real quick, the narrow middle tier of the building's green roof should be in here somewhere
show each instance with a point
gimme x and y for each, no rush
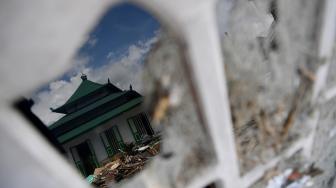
(88, 108)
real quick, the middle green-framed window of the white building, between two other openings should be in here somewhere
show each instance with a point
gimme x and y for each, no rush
(112, 140)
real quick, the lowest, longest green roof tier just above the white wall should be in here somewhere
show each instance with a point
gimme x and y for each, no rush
(99, 120)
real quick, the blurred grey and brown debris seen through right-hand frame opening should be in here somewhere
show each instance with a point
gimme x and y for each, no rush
(269, 48)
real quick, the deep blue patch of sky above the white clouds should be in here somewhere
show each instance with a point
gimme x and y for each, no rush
(121, 27)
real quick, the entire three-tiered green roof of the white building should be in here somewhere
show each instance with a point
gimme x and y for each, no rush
(90, 106)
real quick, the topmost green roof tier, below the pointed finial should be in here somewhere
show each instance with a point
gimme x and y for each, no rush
(84, 88)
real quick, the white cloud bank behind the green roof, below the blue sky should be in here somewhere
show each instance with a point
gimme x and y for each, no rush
(122, 72)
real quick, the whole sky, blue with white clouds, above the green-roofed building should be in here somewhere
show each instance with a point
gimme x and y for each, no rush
(115, 49)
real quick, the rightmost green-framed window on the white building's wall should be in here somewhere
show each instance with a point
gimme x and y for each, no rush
(140, 126)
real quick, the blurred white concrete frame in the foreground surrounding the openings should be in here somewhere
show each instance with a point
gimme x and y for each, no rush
(39, 37)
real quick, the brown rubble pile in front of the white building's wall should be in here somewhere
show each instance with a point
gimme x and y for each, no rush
(127, 163)
